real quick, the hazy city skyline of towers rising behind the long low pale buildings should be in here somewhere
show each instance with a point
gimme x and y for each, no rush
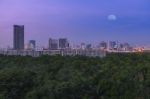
(19, 43)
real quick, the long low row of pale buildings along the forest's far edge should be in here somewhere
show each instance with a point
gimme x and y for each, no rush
(65, 52)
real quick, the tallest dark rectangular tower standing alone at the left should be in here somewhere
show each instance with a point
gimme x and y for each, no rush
(18, 37)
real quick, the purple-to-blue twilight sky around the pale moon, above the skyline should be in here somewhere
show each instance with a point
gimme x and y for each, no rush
(78, 20)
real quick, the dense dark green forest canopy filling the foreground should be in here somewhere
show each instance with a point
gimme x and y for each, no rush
(116, 76)
